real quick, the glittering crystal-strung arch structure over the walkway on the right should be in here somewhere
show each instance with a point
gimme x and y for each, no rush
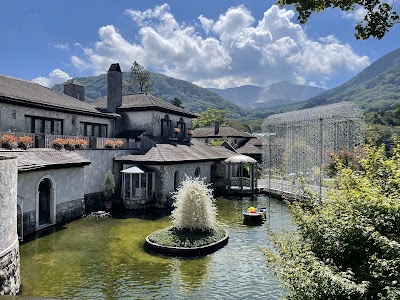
(297, 144)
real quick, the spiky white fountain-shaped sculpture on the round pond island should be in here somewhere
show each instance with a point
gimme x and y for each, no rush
(195, 207)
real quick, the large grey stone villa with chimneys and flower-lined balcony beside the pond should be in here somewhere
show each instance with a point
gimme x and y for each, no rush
(143, 140)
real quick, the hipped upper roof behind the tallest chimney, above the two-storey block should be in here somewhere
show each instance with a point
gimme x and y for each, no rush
(138, 102)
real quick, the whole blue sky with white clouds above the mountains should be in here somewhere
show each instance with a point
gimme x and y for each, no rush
(211, 43)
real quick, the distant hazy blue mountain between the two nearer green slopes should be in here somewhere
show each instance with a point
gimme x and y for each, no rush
(276, 95)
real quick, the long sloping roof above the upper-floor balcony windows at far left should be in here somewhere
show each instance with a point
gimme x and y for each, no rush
(26, 92)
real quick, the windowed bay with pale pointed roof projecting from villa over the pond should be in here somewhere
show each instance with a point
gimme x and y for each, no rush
(137, 187)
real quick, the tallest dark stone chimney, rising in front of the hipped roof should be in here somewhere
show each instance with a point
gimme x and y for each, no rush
(114, 88)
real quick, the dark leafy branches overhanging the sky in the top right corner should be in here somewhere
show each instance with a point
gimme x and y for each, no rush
(380, 15)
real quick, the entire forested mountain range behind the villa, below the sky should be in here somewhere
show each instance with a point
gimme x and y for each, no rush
(376, 88)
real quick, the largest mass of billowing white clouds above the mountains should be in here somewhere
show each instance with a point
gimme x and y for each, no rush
(234, 49)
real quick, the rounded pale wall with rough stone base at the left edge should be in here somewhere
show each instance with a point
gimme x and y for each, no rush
(9, 245)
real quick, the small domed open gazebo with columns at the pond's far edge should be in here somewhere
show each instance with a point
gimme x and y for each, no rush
(241, 174)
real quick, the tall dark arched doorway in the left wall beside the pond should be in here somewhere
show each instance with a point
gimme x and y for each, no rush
(45, 202)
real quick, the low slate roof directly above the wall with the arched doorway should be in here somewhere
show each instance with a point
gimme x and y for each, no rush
(33, 159)
